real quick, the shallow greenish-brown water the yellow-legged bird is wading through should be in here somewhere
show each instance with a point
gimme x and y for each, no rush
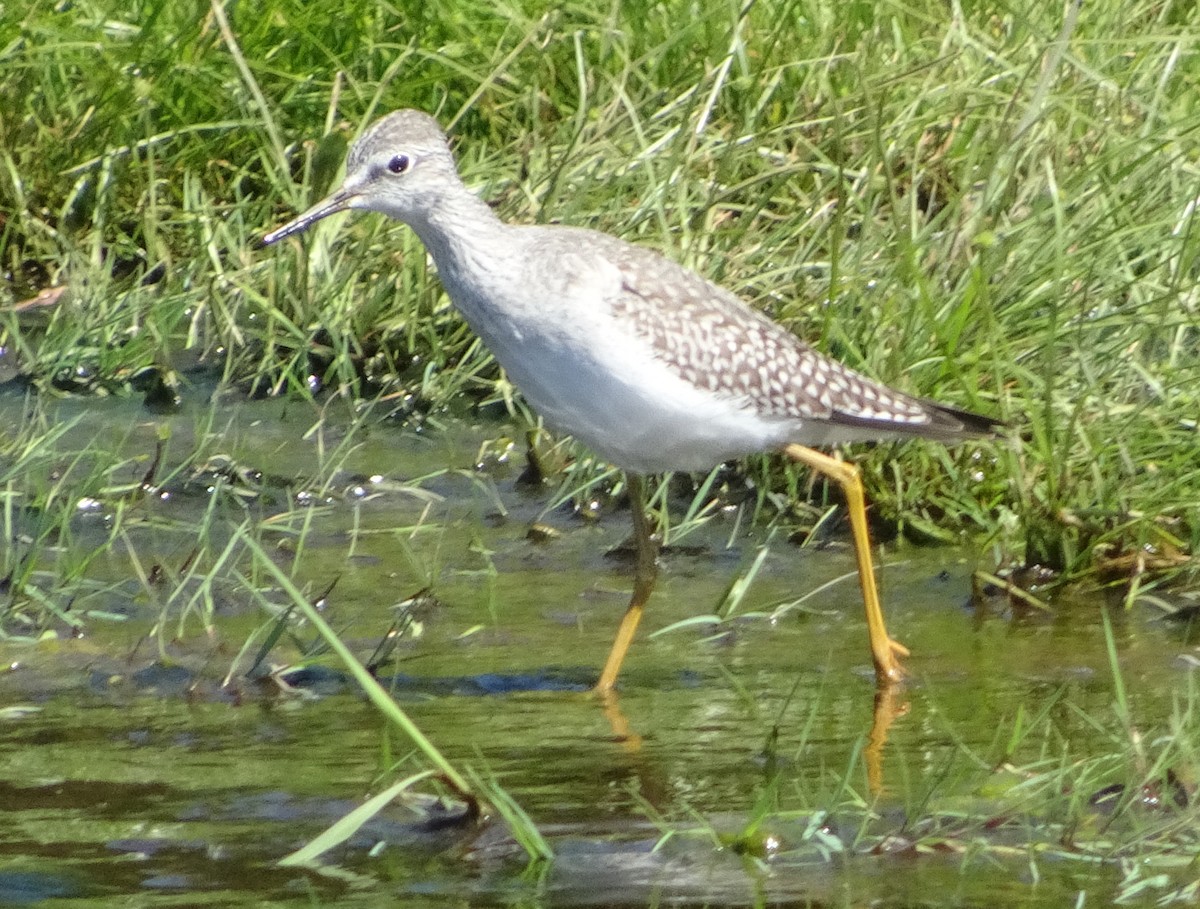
(129, 772)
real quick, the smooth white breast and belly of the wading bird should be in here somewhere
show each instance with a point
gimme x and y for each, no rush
(590, 375)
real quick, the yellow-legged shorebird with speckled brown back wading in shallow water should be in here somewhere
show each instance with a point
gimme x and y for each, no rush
(644, 362)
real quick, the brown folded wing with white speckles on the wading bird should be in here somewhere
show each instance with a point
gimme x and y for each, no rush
(715, 341)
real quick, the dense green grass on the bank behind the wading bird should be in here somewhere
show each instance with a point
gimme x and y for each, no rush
(980, 203)
